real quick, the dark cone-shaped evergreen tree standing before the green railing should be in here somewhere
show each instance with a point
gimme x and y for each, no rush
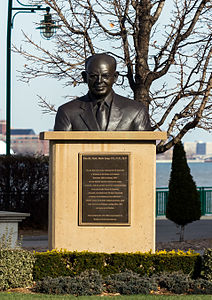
(183, 205)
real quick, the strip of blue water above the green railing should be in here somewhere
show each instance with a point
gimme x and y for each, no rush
(201, 172)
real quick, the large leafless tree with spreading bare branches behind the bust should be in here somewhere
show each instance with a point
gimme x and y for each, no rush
(166, 66)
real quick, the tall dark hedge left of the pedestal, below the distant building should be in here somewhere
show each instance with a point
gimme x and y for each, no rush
(28, 187)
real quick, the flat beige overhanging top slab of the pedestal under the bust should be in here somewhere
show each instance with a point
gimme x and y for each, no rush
(103, 135)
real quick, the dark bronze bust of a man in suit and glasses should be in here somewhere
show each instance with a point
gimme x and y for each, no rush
(102, 109)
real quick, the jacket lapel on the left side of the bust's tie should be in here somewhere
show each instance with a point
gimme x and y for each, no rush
(87, 114)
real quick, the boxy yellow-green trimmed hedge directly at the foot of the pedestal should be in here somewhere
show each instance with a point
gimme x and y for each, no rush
(63, 263)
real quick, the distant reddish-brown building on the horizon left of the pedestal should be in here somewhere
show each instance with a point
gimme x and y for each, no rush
(24, 141)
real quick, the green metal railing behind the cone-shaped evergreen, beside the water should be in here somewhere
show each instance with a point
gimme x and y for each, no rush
(205, 198)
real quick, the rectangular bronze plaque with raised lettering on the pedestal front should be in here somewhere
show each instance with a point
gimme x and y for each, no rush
(104, 189)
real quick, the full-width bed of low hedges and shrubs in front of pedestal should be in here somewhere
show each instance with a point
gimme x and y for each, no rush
(125, 273)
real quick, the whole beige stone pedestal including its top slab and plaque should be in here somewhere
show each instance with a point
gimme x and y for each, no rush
(133, 233)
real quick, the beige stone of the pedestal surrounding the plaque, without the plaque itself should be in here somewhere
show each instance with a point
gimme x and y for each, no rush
(64, 229)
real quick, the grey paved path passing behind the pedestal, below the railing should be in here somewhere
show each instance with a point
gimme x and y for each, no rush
(166, 231)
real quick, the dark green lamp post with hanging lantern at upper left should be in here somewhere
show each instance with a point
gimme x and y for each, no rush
(48, 29)
